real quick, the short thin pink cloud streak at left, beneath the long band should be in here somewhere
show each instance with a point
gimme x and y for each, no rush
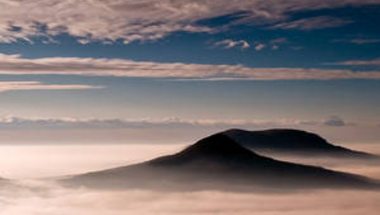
(34, 85)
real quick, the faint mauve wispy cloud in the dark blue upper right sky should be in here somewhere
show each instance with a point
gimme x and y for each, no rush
(319, 22)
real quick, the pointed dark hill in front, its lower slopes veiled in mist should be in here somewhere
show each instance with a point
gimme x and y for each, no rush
(219, 162)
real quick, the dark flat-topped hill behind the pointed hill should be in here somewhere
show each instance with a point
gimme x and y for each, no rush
(293, 142)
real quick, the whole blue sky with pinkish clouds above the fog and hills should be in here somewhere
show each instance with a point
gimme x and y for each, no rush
(131, 71)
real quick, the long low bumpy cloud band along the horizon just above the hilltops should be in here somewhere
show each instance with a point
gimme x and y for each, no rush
(116, 123)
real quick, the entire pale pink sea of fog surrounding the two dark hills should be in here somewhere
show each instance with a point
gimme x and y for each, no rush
(29, 196)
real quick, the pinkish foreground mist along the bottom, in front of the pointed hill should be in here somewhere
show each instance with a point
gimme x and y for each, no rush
(50, 199)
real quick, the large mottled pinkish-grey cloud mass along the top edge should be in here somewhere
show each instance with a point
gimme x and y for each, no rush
(128, 21)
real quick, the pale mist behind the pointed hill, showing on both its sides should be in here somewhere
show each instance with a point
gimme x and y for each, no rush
(40, 161)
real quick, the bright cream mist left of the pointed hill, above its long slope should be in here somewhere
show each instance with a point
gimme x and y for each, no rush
(40, 161)
